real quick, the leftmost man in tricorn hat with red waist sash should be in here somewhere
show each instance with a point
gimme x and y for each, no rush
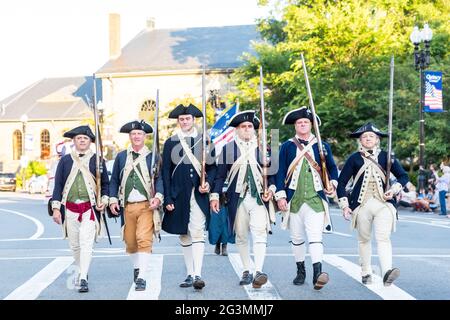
(74, 201)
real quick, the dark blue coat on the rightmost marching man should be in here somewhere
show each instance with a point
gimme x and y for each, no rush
(351, 168)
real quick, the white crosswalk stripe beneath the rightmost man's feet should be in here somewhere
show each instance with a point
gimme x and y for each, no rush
(386, 293)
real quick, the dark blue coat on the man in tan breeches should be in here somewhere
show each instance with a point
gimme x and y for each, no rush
(117, 173)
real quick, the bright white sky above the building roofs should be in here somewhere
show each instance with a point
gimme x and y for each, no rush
(64, 38)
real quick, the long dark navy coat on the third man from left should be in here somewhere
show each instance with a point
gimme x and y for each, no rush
(179, 181)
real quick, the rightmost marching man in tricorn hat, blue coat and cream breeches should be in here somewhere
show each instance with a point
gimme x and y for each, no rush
(369, 205)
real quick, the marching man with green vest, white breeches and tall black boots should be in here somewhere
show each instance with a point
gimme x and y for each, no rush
(301, 195)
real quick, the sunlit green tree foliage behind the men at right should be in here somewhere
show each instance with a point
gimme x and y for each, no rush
(347, 46)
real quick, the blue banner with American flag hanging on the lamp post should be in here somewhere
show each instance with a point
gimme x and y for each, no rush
(433, 92)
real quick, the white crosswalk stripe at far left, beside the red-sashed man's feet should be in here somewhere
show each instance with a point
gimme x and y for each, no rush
(31, 289)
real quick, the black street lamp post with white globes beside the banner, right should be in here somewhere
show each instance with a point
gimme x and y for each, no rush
(421, 62)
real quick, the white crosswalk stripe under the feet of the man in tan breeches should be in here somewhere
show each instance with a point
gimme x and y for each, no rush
(153, 281)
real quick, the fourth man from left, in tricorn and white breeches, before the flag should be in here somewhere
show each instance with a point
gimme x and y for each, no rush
(239, 167)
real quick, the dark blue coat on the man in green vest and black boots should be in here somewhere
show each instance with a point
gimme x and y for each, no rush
(288, 153)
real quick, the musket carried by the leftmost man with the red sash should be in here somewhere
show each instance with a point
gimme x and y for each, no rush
(98, 158)
